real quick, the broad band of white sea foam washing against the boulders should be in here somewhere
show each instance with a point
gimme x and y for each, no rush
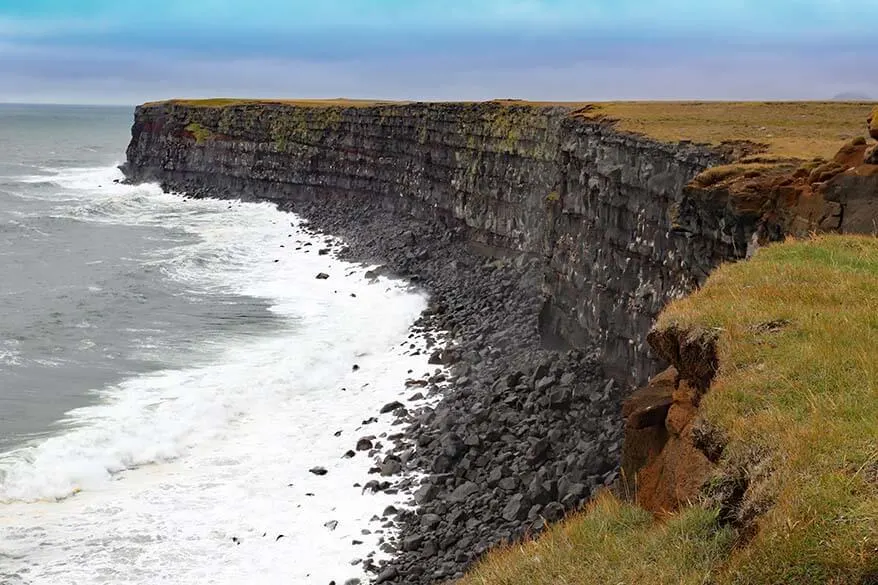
(167, 468)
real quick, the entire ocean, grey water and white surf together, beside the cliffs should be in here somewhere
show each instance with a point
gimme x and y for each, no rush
(170, 370)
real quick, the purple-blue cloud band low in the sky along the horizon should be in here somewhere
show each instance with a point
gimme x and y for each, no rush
(649, 72)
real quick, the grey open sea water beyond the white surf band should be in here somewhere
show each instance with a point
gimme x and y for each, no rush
(85, 297)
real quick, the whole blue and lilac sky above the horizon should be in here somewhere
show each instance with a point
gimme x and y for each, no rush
(123, 52)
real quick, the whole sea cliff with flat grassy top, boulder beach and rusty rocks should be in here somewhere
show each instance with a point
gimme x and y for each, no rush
(539, 228)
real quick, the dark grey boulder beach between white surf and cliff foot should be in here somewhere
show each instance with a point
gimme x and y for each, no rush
(521, 435)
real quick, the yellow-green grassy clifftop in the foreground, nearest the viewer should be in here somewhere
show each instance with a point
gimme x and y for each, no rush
(796, 400)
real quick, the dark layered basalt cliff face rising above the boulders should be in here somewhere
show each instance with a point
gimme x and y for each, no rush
(609, 212)
